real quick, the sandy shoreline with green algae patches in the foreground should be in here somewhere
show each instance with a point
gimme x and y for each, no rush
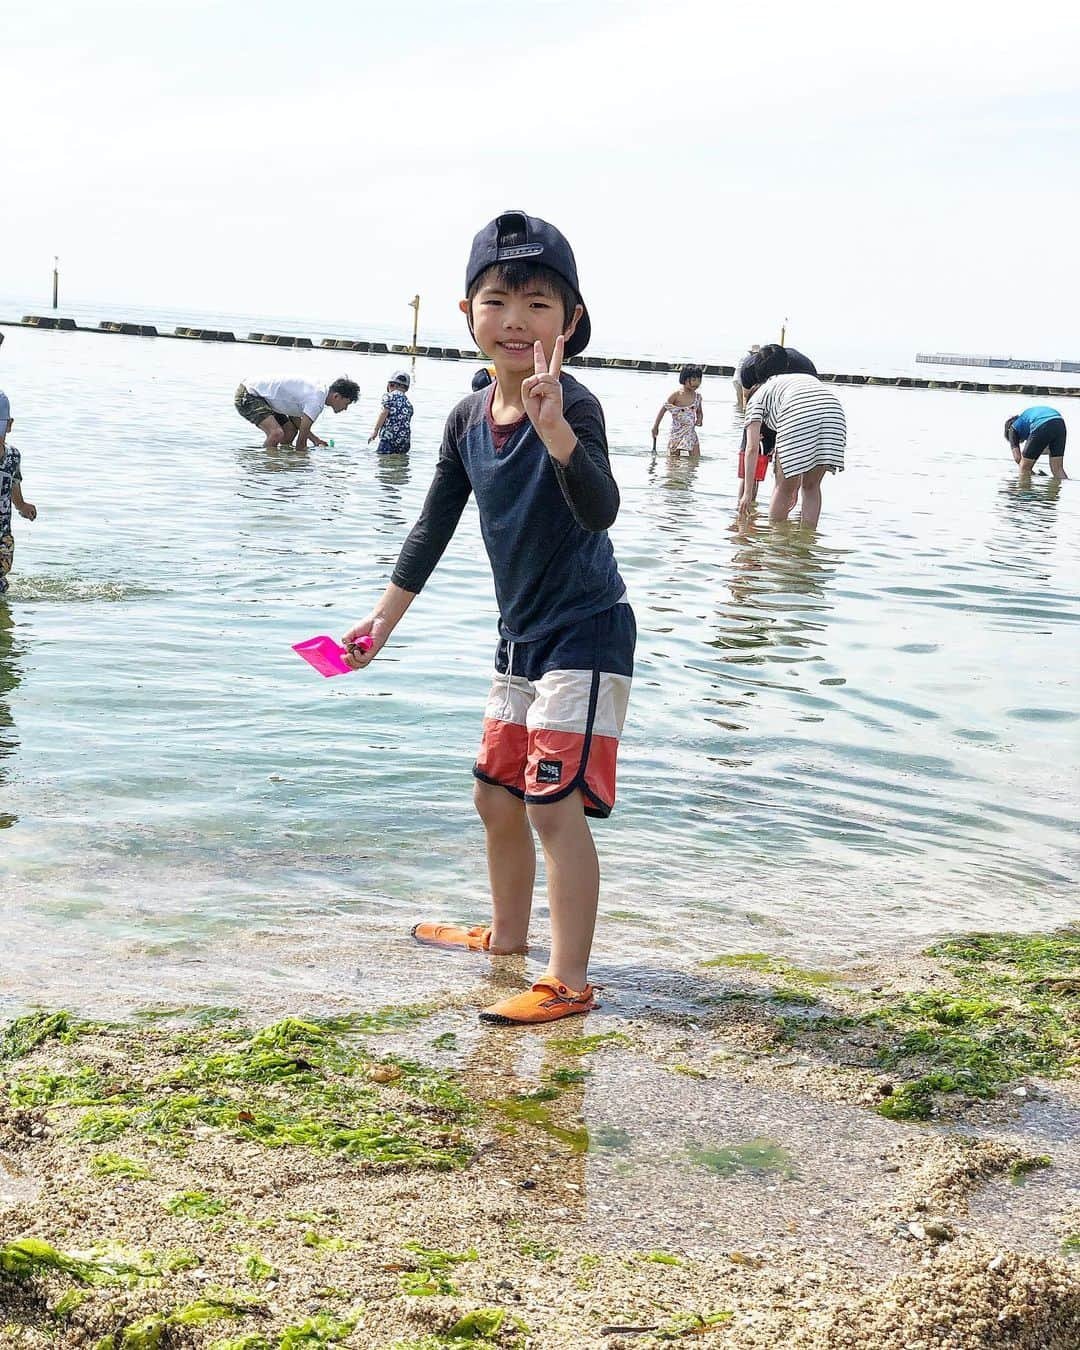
(805, 1162)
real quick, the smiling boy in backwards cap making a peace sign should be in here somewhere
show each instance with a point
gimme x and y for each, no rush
(534, 450)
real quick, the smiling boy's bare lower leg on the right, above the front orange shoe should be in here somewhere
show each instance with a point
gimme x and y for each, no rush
(573, 886)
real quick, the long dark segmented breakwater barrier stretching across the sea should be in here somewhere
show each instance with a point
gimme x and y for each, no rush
(381, 349)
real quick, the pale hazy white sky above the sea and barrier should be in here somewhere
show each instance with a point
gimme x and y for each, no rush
(889, 178)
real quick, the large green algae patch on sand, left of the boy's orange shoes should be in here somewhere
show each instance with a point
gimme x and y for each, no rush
(298, 1083)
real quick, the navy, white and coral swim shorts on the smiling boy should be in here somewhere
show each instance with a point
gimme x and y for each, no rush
(556, 712)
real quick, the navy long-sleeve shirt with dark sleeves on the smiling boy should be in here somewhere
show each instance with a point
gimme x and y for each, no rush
(545, 524)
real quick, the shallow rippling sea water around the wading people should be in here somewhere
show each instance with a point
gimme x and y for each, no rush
(838, 745)
